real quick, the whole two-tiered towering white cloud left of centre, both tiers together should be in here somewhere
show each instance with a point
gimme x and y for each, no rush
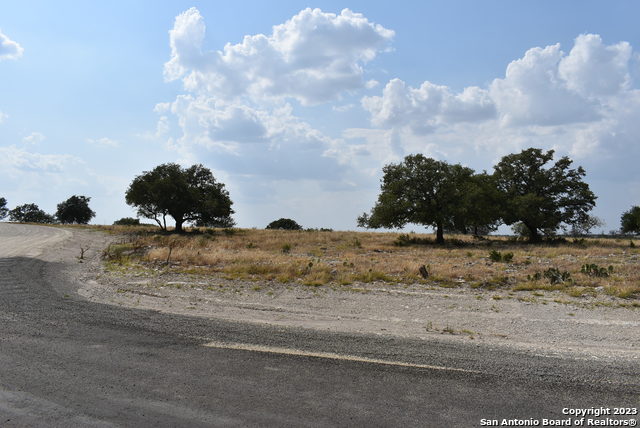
(238, 113)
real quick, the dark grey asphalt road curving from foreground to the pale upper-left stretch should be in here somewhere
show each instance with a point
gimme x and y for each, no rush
(68, 362)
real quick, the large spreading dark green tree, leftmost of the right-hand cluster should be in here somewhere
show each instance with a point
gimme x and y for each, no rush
(420, 190)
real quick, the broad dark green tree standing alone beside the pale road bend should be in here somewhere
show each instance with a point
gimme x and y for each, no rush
(187, 195)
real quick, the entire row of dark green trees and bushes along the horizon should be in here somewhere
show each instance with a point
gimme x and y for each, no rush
(527, 190)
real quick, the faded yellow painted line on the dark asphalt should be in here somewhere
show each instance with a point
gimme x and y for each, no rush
(327, 355)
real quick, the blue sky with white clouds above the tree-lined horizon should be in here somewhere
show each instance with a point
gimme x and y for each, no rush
(297, 106)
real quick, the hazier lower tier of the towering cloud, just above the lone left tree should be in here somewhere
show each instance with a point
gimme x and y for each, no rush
(251, 141)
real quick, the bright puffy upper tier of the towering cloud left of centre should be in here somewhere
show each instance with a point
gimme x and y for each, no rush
(313, 57)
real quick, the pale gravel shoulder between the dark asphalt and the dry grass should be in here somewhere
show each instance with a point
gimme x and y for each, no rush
(551, 324)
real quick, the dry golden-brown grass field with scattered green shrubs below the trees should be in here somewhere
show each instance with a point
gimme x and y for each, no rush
(578, 267)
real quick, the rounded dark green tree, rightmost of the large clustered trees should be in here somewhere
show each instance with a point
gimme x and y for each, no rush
(542, 198)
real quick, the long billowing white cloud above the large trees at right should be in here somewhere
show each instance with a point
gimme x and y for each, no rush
(579, 91)
